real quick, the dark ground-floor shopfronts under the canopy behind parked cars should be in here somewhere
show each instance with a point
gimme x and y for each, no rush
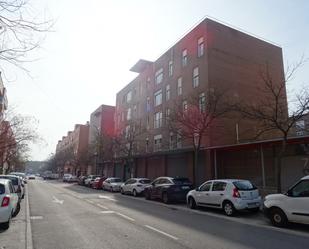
(253, 161)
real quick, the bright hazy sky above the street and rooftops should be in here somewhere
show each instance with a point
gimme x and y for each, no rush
(85, 59)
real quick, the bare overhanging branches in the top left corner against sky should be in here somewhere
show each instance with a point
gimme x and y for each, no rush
(20, 33)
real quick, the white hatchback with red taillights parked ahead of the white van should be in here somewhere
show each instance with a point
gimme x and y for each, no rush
(230, 195)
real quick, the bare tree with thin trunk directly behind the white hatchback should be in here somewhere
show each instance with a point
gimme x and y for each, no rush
(192, 118)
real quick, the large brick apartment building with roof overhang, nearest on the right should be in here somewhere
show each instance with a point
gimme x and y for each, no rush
(210, 56)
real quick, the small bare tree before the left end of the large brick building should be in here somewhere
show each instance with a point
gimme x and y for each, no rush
(126, 143)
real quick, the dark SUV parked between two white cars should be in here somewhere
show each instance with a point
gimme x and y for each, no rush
(168, 189)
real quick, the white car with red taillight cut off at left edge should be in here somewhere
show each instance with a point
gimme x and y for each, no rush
(9, 203)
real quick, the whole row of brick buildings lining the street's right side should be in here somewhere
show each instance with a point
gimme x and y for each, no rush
(211, 56)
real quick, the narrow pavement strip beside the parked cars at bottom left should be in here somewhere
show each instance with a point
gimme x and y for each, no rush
(15, 236)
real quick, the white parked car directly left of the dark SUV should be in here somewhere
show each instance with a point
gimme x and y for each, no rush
(134, 186)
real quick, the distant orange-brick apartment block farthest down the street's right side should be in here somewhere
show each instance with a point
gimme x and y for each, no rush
(72, 150)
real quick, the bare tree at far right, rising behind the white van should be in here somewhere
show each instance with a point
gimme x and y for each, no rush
(271, 112)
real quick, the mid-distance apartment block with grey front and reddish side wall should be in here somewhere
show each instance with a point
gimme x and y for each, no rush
(101, 128)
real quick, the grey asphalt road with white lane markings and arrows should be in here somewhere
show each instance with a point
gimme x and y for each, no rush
(66, 216)
